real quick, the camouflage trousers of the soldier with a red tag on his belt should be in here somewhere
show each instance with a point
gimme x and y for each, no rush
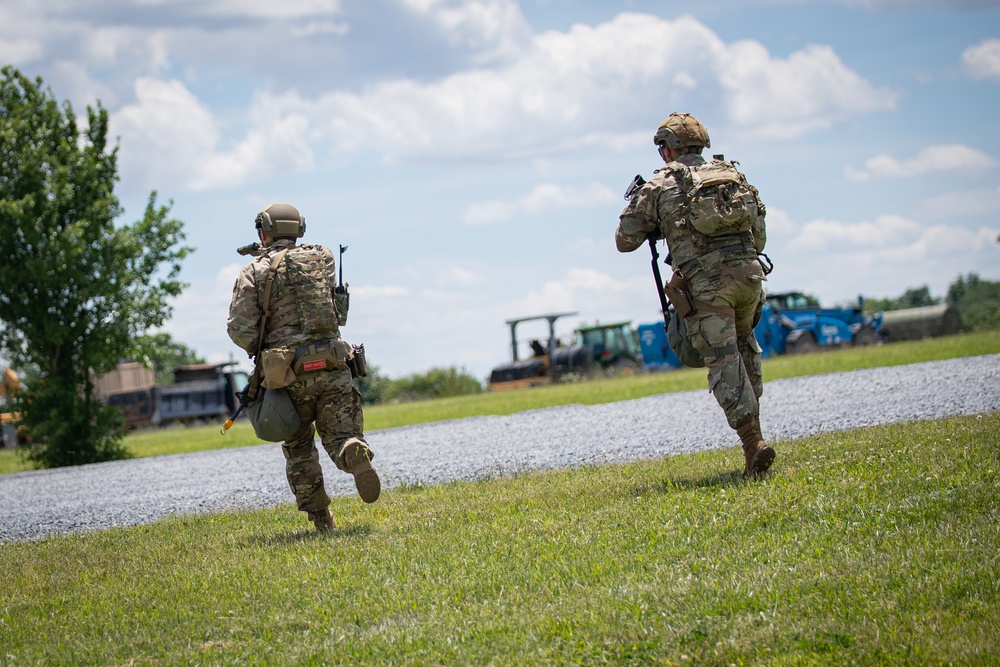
(331, 401)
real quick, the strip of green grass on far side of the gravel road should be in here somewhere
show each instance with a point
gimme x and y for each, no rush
(179, 440)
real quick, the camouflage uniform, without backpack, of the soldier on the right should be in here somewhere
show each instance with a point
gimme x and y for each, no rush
(723, 272)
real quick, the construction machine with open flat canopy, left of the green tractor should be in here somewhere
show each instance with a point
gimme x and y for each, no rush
(547, 362)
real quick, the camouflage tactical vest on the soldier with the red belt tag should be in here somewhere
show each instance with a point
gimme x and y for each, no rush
(306, 292)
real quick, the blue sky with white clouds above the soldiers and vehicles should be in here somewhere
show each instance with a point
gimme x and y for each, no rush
(472, 154)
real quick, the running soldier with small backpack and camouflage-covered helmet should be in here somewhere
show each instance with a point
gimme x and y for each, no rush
(713, 224)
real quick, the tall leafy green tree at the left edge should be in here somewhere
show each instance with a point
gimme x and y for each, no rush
(75, 288)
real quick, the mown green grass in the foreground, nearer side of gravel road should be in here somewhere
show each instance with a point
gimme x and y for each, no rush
(871, 547)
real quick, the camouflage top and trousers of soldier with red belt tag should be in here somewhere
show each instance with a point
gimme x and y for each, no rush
(327, 397)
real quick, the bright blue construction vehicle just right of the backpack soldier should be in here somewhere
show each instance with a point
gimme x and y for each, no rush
(791, 324)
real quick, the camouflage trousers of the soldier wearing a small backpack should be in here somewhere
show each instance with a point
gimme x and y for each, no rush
(734, 376)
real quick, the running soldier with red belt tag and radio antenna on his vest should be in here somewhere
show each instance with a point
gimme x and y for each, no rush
(303, 320)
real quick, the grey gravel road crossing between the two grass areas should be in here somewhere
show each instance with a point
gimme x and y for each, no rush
(92, 497)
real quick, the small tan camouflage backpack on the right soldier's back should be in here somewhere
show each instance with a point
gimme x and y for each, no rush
(719, 200)
